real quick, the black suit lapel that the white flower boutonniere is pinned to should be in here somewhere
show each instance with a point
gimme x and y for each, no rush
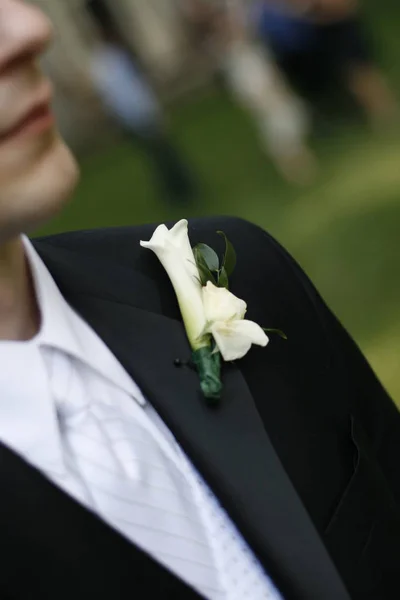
(228, 444)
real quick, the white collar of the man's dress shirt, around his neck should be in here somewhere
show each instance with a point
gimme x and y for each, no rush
(28, 421)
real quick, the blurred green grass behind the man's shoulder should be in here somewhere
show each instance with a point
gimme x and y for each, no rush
(344, 229)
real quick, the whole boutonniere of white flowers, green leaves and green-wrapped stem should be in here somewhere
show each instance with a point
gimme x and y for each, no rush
(214, 318)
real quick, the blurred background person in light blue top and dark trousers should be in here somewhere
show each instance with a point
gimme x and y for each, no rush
(132, 103)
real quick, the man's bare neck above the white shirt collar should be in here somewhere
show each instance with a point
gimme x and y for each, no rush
(19, 314)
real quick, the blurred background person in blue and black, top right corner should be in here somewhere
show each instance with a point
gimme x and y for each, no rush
(318, 43)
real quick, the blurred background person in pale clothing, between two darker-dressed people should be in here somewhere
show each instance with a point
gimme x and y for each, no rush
(256, 84)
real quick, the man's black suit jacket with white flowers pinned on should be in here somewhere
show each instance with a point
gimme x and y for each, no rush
(303, 451)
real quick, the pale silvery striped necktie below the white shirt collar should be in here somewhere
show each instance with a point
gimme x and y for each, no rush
(130, 480)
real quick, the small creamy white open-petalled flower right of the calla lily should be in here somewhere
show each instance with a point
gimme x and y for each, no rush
(224, 313)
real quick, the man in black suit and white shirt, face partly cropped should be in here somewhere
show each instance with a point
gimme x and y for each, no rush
(117, 480)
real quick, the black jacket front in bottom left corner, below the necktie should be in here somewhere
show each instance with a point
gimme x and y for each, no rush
(55, 548)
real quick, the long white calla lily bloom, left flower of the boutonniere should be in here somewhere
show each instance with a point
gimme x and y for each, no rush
(173, 249)
